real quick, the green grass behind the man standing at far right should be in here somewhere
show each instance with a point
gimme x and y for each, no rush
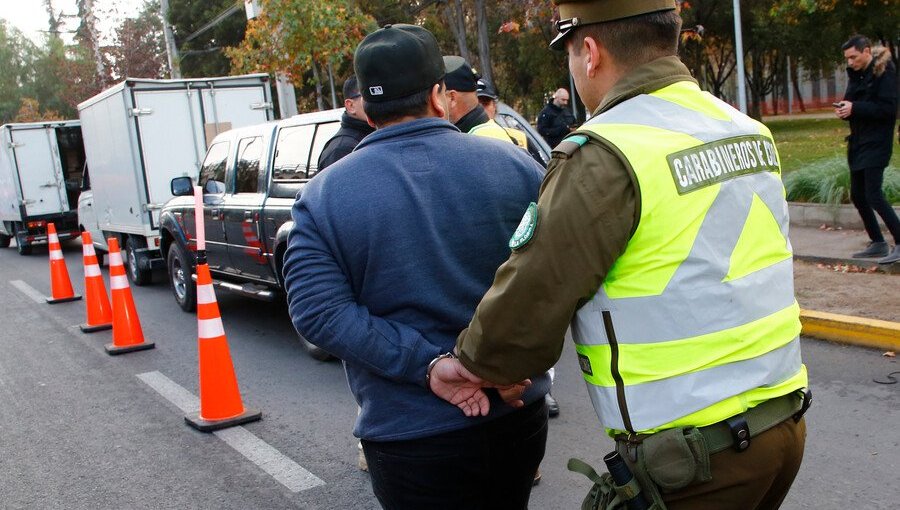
(813, 157)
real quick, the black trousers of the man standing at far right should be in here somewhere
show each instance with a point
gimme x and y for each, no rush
(868, 197)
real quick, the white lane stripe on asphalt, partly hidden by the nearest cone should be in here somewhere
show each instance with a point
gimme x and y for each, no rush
(287, 472)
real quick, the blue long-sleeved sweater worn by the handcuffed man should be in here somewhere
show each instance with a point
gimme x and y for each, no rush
(391, 250)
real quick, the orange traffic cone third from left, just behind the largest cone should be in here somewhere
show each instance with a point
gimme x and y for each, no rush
(127, 333)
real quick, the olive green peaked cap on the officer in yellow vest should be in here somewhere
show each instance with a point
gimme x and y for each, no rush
(576, 13)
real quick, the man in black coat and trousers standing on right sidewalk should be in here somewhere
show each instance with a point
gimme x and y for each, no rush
(870, 105)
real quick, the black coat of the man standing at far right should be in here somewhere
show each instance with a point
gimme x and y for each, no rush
(873, 92)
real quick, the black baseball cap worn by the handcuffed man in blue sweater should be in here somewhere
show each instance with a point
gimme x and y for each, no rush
(397, 61)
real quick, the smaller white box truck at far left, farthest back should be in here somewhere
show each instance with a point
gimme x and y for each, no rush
(40, 175)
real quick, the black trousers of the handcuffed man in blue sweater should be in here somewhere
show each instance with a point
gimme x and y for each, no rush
(488, 466)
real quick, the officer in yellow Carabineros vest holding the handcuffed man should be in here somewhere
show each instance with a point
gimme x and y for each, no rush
(661, 235)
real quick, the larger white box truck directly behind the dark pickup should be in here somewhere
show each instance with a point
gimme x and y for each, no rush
(139, 135)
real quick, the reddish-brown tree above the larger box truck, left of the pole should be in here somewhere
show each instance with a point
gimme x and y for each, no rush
(139, 50)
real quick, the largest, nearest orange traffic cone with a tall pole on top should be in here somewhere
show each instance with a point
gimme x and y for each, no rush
(220, 399)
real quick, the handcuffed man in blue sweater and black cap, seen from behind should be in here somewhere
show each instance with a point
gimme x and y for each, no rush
(390, 251)
